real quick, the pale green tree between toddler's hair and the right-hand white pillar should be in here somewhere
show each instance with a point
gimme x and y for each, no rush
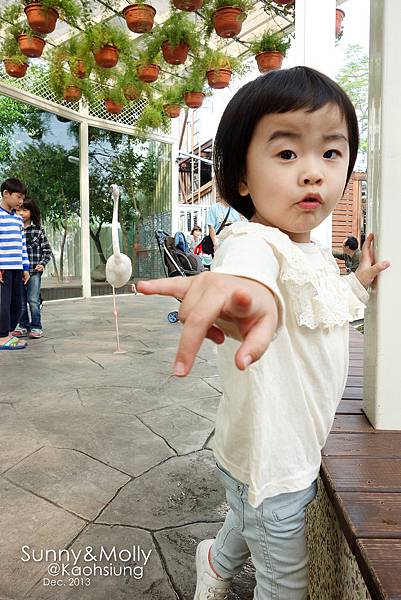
(354, 78)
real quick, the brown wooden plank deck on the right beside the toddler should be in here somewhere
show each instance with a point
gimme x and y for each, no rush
(361, 470)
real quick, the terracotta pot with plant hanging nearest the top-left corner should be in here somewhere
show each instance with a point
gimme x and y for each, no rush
(42, 16)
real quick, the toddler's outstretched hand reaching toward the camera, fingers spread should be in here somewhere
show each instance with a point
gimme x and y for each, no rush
(245, 309)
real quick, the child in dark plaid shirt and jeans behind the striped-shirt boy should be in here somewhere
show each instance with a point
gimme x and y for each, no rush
(39, 253)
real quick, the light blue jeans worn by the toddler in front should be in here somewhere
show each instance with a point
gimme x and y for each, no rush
(273, 534)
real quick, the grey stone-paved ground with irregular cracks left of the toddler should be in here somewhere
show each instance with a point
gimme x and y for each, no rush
(103, 450)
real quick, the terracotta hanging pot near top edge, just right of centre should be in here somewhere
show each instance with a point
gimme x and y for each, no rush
(228, 16)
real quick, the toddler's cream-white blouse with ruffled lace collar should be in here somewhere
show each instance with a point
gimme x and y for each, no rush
(274, 418)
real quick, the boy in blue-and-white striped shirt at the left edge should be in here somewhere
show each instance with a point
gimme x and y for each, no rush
(14, 262)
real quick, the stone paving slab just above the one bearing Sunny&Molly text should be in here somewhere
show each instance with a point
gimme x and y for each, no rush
(69, 479)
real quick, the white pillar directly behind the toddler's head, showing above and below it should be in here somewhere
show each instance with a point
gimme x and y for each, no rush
(315, 47)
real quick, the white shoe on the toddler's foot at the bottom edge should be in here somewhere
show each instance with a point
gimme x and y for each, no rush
(208, 585)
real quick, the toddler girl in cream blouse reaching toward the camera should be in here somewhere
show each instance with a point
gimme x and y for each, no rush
(295, 136)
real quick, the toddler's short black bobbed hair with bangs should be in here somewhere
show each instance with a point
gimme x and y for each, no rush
(275, 92)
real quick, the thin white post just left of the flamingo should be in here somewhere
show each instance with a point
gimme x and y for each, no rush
(84, 196)
